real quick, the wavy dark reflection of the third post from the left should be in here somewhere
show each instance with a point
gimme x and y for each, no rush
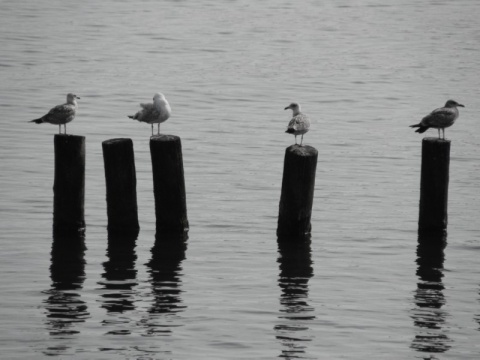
(165, 278)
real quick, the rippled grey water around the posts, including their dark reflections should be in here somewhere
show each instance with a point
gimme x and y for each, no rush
(363, 70)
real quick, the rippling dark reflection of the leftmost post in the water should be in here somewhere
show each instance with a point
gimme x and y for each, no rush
(67, 271)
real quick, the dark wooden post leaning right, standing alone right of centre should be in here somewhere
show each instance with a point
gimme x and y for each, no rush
(298, 186)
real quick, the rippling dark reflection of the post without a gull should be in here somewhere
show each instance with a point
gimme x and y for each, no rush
(120, 276)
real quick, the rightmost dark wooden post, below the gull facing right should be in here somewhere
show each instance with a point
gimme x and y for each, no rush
(434, 185)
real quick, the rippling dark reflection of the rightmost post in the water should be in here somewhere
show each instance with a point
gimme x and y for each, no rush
(428, 315)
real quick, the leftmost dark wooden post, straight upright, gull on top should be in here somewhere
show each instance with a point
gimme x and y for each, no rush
(69, 183)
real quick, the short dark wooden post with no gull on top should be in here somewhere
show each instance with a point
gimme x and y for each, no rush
(121, 184)
